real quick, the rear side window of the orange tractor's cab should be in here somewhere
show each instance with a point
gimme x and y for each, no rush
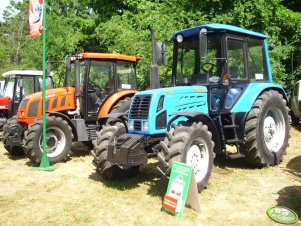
(126, 78)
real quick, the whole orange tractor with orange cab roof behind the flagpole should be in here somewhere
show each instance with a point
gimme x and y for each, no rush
(96, 84)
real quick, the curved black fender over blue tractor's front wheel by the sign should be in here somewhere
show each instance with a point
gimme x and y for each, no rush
(206, 120)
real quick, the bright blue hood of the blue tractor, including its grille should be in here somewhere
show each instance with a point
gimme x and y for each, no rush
(152, 110)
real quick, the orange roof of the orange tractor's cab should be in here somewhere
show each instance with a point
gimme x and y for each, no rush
(110, 56)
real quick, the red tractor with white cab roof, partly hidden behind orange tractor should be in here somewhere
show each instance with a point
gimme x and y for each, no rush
(16, 85)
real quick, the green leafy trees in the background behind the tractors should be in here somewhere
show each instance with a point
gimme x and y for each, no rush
(121, 26)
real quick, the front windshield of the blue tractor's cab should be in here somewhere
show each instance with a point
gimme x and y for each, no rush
(191, 69)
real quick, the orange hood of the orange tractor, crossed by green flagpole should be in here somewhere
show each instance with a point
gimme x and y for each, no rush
(58, 100)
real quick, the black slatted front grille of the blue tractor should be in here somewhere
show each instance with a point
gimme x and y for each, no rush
(140, 107)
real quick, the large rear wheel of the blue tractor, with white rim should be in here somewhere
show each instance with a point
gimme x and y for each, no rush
(267, 130)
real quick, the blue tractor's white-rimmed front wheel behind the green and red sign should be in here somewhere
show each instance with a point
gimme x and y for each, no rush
(191, 144)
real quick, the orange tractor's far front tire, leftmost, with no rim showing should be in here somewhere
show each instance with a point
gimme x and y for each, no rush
(13, 150)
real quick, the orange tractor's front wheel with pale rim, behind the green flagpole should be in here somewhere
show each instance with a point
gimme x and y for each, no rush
(58, 140)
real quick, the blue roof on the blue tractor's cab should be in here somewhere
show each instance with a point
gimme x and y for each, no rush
(218, 27)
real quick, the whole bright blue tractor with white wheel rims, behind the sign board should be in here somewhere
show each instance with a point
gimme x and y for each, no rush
(222, 94)
